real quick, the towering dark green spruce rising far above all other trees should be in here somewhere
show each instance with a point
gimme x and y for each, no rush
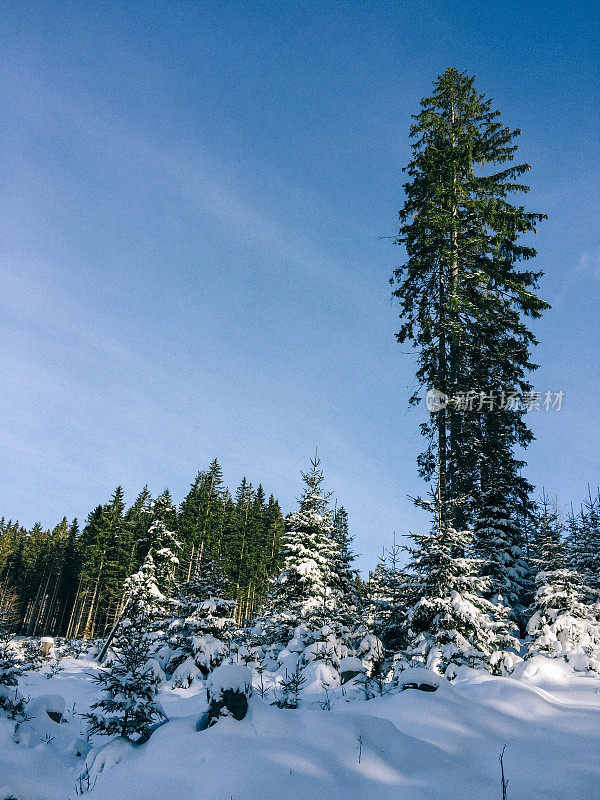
(462, 297)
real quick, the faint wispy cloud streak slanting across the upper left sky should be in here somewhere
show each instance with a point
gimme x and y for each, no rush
(200, 178)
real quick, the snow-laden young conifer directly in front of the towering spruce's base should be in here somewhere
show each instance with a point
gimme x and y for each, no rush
(453, 623)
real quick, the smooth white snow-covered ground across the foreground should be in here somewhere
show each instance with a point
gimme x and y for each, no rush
(406, 744)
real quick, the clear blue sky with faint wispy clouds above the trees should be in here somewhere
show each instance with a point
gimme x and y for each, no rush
(192, 200)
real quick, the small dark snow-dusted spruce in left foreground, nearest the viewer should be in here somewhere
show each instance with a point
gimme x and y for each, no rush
(127, 707)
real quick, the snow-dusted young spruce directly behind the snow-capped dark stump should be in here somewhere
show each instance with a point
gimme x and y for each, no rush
(200, 636)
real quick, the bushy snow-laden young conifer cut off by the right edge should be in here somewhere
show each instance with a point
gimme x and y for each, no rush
(563, 624)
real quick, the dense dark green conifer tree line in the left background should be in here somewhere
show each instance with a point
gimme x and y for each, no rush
(69, 582)
